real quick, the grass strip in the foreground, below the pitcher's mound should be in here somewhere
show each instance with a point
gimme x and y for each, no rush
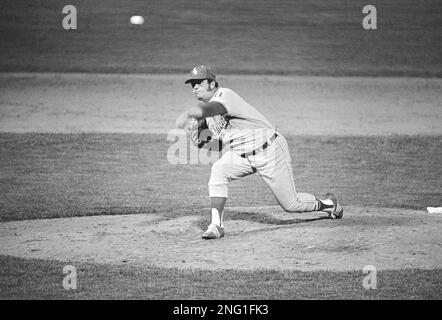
(42, 279)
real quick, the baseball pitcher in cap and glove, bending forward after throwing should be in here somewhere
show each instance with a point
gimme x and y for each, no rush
(251, 145)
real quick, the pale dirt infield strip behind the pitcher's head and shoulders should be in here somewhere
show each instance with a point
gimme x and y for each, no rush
(72, 103)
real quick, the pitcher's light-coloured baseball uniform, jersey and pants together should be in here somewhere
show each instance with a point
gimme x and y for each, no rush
(244, 129)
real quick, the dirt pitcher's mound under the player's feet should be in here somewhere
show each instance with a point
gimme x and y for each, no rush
(385, 238)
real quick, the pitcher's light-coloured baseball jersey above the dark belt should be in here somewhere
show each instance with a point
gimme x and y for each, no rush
(243, 127)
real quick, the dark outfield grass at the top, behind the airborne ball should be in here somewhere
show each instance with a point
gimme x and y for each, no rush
(265, 37)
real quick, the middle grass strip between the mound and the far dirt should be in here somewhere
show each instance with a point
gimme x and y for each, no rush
(59, 175)
